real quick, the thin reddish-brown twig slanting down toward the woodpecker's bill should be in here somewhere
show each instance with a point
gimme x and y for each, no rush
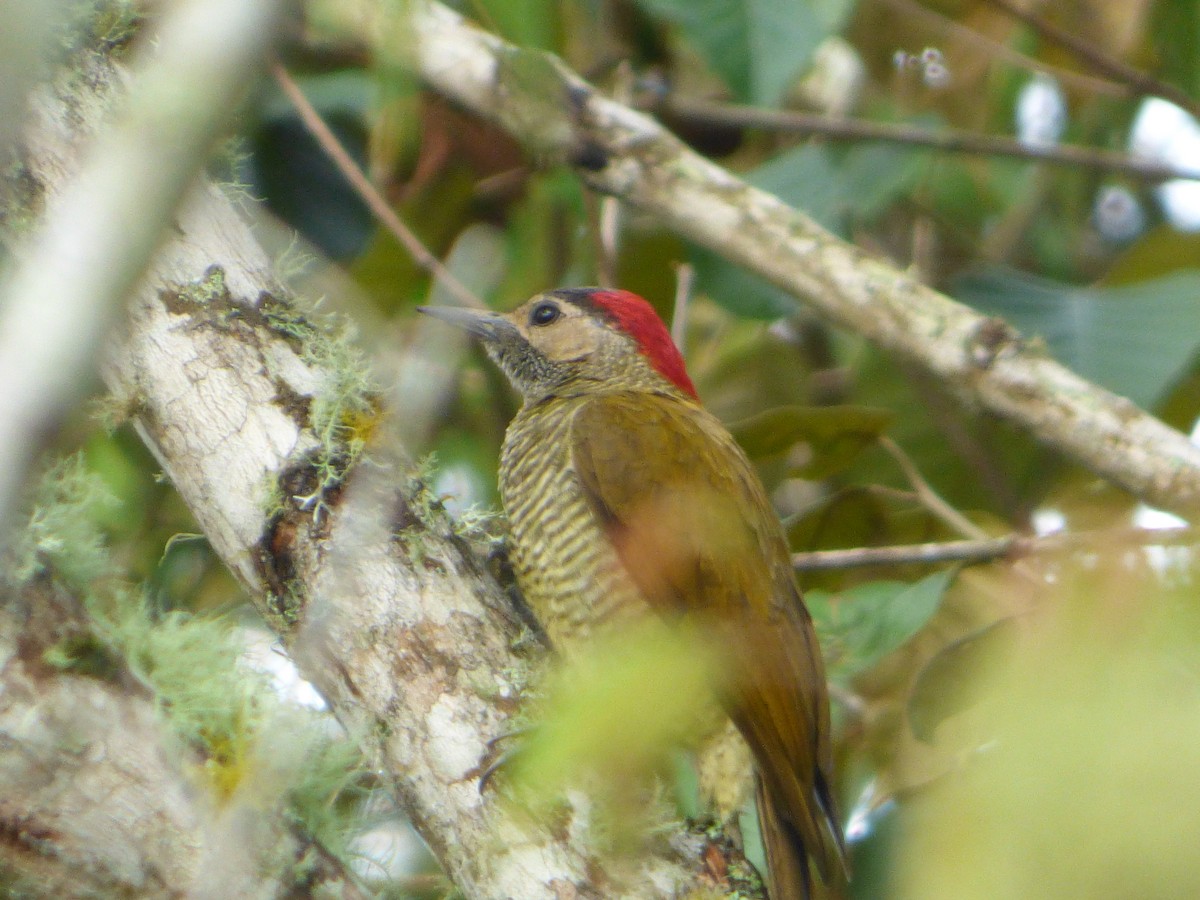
(368, 193)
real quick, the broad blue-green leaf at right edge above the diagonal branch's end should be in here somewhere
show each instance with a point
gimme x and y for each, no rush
(1135, 340)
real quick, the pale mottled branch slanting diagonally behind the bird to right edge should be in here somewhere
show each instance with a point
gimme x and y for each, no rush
(620, 152)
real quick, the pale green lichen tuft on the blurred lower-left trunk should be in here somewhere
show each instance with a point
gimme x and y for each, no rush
(250, 742)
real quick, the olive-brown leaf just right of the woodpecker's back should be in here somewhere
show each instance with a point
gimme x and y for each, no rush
(835, 435)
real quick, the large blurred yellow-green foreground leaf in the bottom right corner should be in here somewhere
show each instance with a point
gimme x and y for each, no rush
(1084, 779)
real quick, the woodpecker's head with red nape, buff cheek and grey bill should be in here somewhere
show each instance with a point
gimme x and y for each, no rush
(578, 340)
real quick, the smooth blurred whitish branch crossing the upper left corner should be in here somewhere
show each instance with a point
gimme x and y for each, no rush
(89, 249)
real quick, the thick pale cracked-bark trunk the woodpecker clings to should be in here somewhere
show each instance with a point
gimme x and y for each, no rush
(393, 619)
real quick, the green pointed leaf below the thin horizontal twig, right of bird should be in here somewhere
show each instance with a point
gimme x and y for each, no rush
(863, 625)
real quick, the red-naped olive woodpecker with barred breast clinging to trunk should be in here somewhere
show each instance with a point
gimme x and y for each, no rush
(626, 495)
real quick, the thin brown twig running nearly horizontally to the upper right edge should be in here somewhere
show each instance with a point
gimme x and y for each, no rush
(959, 142)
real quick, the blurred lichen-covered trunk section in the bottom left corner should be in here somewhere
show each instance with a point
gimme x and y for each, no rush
(95, 794)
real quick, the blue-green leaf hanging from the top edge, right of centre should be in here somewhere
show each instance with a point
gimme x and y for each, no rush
(757, 46)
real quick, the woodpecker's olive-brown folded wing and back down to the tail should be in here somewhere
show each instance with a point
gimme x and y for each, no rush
(692, 525)
